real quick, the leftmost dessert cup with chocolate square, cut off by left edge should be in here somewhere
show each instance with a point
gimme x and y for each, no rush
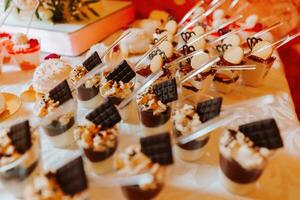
(20, 154)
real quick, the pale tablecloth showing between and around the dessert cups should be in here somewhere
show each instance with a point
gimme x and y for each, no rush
(198, 180)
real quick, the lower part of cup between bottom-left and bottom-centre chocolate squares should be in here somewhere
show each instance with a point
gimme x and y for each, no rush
(100, 162)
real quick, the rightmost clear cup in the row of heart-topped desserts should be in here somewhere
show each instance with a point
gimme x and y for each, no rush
(255, 78)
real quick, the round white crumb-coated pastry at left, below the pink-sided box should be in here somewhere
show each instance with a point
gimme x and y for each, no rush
(49, 74)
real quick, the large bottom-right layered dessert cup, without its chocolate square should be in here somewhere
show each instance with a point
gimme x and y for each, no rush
(241, 162)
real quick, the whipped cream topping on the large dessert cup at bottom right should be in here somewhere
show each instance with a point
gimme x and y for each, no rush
(236, 146)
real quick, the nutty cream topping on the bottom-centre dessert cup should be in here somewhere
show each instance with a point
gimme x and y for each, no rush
(132, 162)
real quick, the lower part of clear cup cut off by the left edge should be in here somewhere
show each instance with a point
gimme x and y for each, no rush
(14, 176)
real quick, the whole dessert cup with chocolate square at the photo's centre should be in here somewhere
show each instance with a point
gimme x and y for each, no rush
(154, 107)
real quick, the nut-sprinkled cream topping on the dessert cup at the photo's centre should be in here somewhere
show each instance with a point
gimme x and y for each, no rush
(148, 101)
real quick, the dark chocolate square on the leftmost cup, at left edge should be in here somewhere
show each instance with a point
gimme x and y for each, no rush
(20, 136)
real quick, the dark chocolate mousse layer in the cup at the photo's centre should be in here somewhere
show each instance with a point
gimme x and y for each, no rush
(150, 120)
